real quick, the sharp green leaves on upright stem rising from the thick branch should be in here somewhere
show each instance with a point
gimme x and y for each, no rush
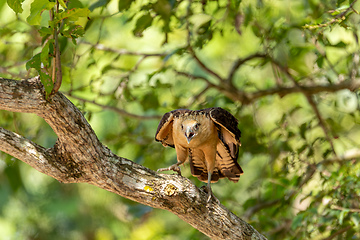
(62, 21)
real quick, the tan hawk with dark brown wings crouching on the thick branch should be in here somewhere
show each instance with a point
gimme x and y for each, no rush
(208, 138)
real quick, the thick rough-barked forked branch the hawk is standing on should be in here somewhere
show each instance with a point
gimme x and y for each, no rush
(78, 156)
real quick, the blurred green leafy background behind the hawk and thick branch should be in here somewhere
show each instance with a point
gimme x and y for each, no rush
(288, 70)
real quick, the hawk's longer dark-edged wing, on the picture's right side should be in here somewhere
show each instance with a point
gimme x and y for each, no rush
(228, 146)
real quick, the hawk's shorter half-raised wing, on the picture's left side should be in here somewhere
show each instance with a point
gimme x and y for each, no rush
(164, 133)
